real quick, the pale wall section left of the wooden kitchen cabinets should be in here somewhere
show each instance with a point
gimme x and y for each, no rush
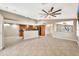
(11, 31)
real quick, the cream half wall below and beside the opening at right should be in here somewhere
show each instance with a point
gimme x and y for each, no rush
(64, 35)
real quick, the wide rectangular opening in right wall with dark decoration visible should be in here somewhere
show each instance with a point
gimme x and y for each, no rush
(65, 26)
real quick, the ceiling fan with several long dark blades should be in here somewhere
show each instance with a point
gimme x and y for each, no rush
(51, 12)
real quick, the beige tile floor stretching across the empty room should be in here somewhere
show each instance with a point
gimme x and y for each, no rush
(43, 46)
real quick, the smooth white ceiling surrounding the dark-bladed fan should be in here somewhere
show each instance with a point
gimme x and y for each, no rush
(33, 10)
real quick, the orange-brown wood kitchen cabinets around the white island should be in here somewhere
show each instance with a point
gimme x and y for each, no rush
(40, 28)
